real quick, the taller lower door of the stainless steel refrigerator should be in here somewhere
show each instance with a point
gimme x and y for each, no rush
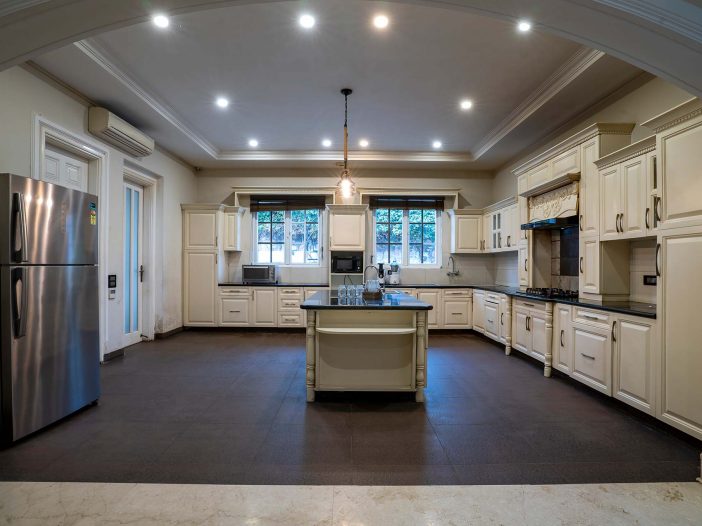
(53, 369)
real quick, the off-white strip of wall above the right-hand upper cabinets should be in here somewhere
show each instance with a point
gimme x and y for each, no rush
(651, 99)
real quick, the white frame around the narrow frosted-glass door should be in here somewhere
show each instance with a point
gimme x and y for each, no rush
(148, 290)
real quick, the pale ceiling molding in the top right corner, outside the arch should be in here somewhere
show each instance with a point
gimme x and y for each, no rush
(661, 14)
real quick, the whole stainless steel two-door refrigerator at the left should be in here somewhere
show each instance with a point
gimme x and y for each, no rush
(49, 303)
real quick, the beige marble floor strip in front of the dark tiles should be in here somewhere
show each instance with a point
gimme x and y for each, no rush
(39, 503)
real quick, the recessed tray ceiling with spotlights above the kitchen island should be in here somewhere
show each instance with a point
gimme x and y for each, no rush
(283, 83)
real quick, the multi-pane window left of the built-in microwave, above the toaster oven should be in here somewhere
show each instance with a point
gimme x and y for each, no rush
(288, 237)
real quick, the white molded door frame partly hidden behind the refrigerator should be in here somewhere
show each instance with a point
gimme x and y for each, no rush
(98, 163)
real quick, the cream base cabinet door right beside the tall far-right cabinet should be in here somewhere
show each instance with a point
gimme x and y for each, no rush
(633, 362)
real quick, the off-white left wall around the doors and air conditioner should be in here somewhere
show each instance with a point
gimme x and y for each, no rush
(25, 95)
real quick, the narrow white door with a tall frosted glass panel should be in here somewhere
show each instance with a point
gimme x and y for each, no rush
(133, 262)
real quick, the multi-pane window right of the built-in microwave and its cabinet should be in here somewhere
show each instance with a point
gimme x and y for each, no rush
(409, 237)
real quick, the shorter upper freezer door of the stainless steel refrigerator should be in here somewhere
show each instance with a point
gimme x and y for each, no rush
(47, 224)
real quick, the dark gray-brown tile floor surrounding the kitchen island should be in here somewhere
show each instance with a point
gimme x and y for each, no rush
(229, 407)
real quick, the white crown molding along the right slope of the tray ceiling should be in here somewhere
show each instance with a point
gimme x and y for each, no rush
(562, 77)
